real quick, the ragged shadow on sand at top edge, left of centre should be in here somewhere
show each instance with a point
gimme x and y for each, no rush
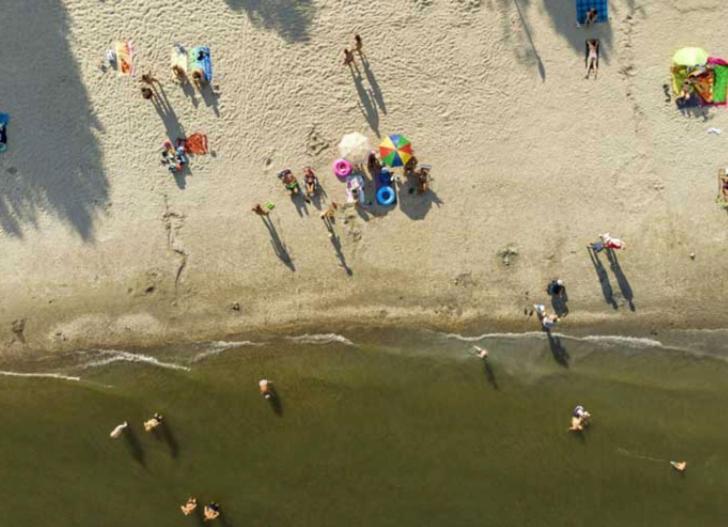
(289, 18)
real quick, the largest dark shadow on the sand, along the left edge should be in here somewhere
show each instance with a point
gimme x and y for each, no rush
(53, 163)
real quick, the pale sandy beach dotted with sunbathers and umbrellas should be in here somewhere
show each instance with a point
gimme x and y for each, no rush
(101, 246)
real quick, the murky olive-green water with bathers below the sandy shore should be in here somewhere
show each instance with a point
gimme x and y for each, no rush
(382, 429)
